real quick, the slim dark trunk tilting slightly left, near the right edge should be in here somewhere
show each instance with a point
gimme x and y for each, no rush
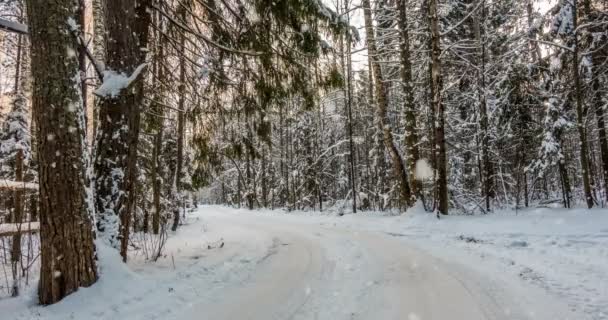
(580, 116)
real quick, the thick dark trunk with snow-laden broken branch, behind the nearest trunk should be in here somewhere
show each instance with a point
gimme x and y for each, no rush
(126, 22)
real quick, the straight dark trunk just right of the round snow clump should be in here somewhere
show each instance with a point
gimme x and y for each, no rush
(437, 86)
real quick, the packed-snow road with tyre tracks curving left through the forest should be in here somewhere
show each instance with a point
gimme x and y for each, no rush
(322, 271)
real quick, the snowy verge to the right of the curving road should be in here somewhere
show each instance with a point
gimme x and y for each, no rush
(563, 252)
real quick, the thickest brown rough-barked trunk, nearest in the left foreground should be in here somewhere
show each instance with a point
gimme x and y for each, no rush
(66, 234)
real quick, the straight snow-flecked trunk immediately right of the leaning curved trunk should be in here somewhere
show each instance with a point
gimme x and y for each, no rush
(411, 136)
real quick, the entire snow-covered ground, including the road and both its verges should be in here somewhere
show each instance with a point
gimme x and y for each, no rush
(534, 264)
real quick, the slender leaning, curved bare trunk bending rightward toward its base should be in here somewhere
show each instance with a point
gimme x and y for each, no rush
(399, 170)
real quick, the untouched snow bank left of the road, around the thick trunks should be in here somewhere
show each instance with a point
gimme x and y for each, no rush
(188, 272)
